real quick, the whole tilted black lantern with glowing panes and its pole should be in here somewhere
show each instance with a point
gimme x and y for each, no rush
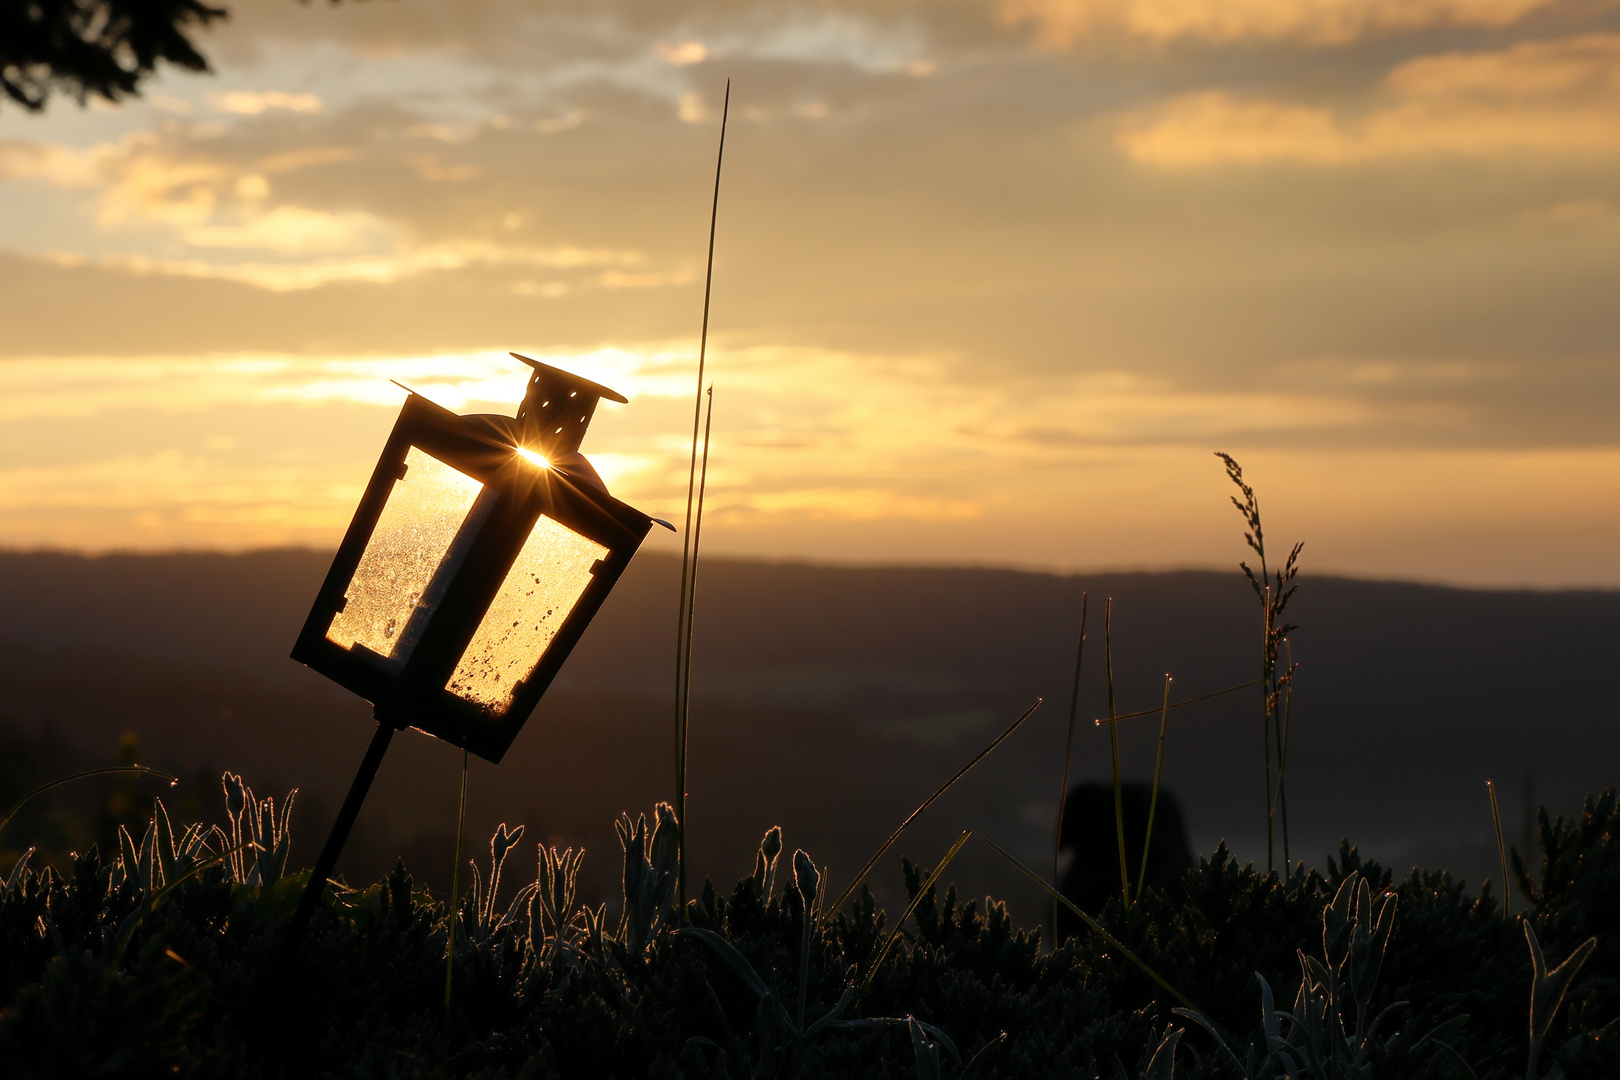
(480, 551)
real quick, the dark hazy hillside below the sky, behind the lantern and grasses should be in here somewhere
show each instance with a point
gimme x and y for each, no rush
(832, 700)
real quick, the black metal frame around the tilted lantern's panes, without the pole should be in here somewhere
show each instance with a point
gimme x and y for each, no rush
(487, 449)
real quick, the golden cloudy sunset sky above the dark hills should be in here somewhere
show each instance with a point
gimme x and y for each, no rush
(994, 278)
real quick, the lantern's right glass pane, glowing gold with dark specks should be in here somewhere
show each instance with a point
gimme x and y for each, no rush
(545, 584)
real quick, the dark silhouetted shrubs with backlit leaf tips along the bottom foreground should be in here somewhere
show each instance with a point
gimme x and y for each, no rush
(163, 963)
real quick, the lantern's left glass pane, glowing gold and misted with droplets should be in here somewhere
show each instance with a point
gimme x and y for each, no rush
(409, 559)
